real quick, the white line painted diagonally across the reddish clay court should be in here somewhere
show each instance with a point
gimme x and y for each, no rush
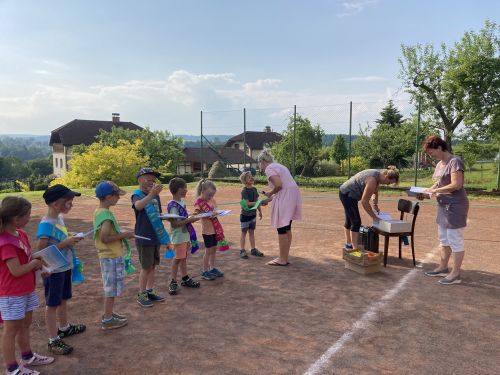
(364, 322)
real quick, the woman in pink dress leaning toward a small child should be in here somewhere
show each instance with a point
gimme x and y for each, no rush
(286, 206)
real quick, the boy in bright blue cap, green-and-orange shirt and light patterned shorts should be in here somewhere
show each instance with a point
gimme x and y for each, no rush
(110, 242)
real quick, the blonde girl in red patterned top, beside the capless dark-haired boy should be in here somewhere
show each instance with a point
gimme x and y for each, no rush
(213, 234)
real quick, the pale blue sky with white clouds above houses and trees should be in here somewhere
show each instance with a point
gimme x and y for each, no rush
(159, 63)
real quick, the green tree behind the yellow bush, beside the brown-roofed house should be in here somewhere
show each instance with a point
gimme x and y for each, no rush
(163, 149)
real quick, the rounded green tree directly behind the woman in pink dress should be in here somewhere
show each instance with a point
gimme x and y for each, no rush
(308, 141)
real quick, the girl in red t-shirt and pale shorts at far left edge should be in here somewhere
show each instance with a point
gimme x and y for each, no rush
(18, 298)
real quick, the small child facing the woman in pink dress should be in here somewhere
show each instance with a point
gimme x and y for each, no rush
(248, 218)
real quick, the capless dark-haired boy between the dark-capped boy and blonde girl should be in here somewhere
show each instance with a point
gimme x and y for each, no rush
(182, 234)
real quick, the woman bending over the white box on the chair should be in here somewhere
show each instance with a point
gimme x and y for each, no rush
(361, 187)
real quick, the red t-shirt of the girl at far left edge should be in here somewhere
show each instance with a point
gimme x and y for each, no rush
(9, 284)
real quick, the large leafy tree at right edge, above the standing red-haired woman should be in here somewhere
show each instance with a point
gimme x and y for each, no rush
(457, 84)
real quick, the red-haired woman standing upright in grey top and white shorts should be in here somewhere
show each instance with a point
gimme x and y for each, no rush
(453, 207)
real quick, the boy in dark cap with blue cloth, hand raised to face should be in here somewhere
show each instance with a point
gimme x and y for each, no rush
(147, 208)
